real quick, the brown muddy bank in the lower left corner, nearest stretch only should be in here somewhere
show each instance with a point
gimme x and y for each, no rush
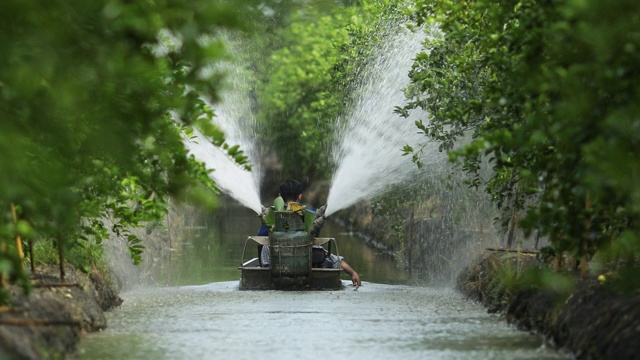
(48, 323)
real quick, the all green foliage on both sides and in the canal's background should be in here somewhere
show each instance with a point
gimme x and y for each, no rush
(96, 99)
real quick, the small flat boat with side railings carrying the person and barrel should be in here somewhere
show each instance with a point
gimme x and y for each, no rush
(282, 274)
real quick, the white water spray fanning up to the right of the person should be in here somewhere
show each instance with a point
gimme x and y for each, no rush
(370, 138)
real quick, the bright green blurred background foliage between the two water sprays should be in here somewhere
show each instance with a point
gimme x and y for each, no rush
(306, 83)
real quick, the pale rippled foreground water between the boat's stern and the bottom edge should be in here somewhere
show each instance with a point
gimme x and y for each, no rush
(375, 322)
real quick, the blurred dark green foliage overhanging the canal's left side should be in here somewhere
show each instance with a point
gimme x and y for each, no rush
(85, 94)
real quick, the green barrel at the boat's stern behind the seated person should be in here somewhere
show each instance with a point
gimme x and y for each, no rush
(290, 249)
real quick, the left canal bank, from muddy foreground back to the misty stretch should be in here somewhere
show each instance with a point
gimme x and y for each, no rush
(50, 321)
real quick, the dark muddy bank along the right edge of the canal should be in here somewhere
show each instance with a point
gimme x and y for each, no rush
(588, 318)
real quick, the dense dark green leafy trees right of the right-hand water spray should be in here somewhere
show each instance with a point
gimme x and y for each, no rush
(548, 91)
